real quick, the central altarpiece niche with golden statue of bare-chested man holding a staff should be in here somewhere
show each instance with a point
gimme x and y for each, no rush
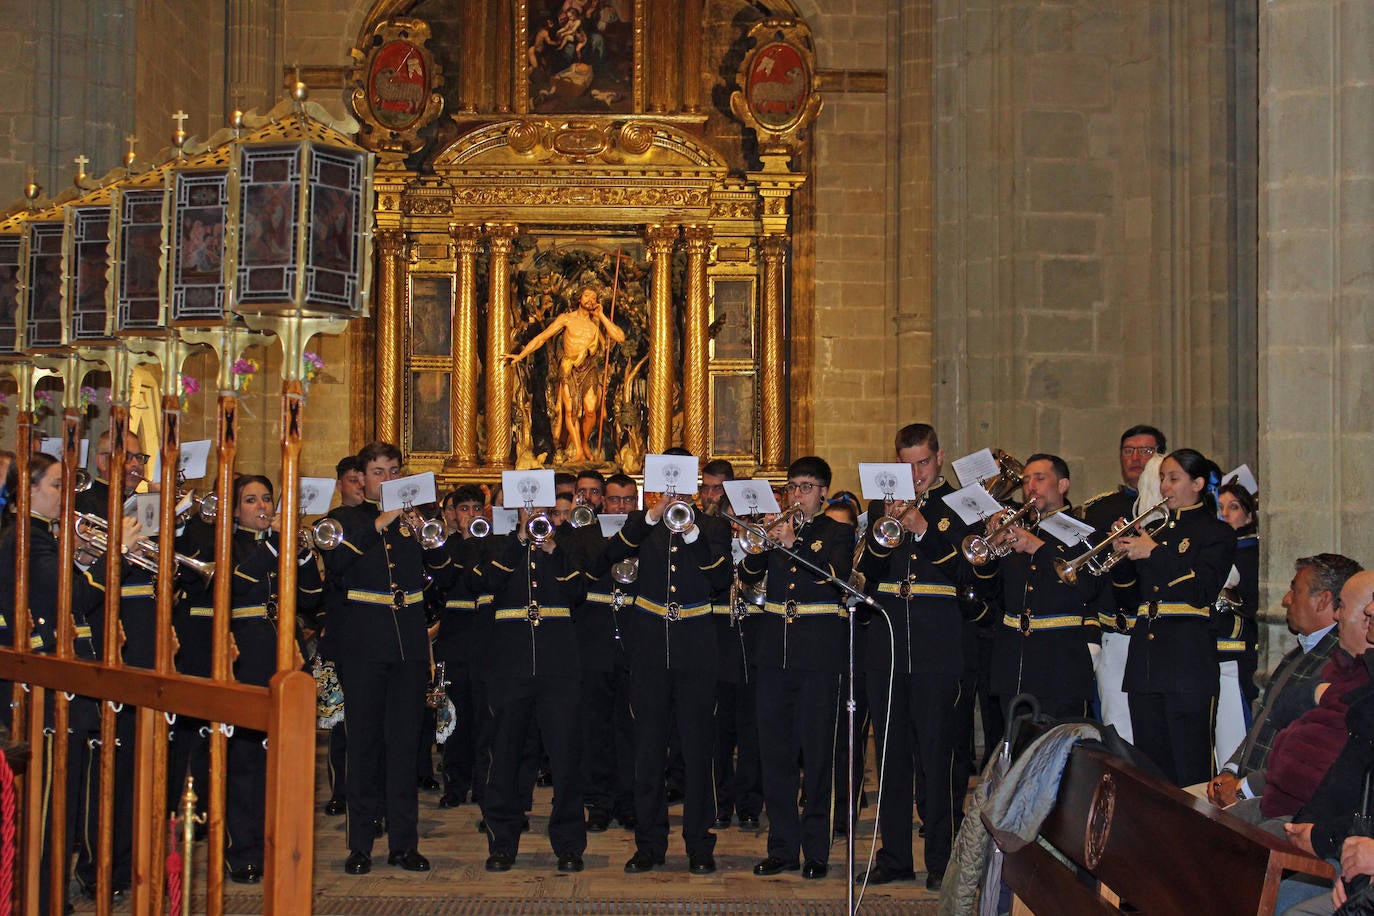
(579, 354)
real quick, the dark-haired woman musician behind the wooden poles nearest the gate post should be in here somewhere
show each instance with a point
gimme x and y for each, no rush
(255, 597)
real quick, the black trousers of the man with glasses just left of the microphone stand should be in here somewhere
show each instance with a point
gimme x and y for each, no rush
(798, 719)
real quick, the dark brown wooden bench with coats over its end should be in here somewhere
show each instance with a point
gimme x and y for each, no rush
(1142, 845)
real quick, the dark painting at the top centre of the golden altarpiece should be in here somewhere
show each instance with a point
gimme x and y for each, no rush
(581, 57)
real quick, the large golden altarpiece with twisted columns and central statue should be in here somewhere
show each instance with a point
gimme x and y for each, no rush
(583, 230)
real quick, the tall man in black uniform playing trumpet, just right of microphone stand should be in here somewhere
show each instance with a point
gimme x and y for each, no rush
(916, 660)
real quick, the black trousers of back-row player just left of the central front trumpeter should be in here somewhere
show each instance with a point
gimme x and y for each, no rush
(608, 742)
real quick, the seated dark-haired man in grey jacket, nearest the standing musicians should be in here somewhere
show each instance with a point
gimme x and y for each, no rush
(1313, 606)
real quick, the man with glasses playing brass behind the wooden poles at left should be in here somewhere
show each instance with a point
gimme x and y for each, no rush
(138, 623)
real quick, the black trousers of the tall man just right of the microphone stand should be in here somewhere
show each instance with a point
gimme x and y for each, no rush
(916, 745)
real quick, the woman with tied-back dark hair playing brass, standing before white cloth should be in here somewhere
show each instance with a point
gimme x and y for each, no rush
(1171, 674)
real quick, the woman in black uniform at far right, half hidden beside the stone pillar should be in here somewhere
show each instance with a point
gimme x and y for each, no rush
(1237, 630)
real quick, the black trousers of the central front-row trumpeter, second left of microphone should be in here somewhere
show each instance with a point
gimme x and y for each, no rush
(659, 700)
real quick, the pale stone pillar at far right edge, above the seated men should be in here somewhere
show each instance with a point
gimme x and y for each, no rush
(1316, 288)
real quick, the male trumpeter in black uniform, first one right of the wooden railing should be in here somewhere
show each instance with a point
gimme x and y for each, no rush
(383, 652)
